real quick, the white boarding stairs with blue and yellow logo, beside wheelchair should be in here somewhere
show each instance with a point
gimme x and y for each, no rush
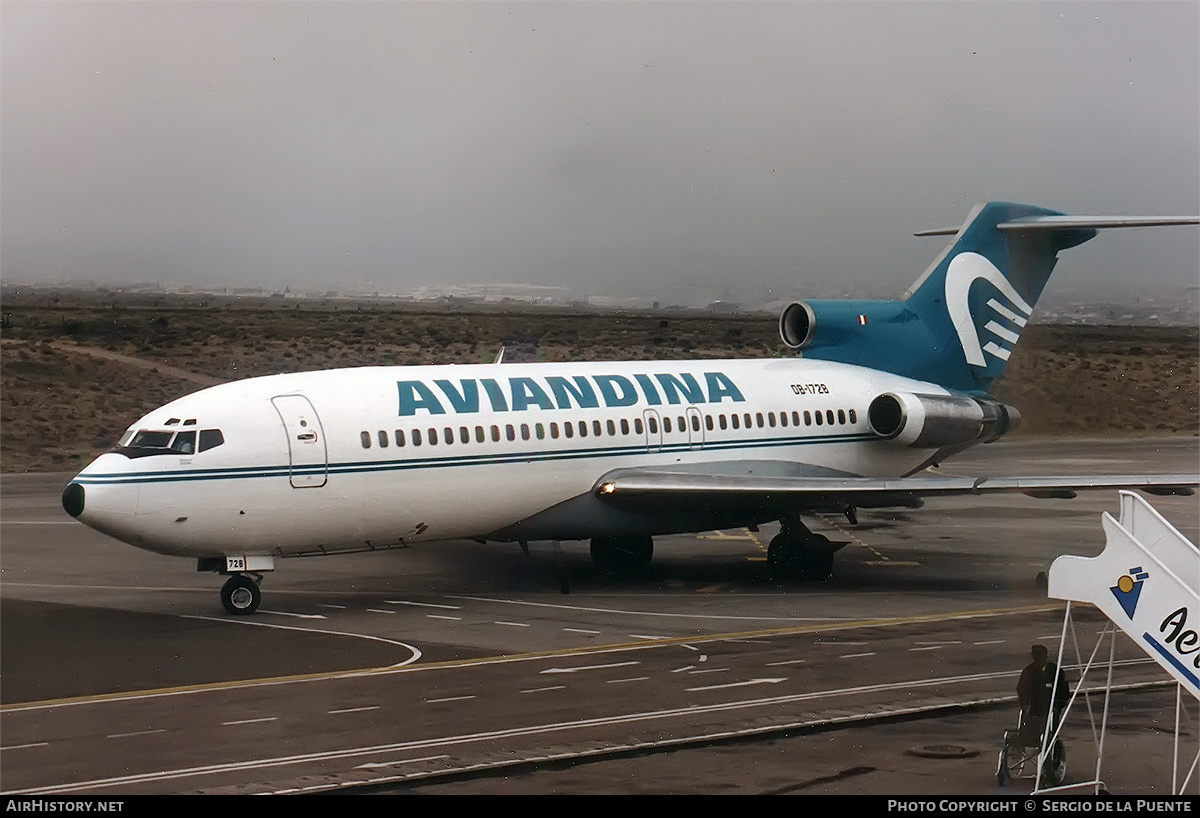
(1148, 584)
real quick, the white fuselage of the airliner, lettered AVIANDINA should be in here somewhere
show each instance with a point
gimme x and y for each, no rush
(377, 456)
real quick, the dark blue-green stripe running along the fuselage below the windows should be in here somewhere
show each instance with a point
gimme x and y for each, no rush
(364, 467)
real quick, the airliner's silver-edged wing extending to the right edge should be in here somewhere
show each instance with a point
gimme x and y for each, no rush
(813, 494)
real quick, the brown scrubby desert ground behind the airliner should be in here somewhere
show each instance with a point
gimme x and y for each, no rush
(79, 368)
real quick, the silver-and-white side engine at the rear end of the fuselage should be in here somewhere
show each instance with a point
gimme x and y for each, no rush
(935, 422)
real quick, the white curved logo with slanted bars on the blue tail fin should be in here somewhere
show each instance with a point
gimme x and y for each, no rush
(963, 272)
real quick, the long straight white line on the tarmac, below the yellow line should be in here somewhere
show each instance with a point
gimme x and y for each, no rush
(515, 732)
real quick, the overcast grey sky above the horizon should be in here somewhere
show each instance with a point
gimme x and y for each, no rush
(615, 148)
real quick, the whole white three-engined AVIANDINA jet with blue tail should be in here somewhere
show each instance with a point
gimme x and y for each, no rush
(375, 458)
